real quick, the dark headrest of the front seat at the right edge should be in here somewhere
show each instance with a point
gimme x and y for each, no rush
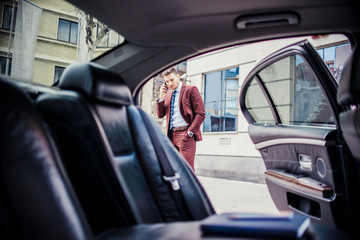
(349, 85)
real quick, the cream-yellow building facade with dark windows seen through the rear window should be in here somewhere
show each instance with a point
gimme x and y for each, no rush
(58, 38)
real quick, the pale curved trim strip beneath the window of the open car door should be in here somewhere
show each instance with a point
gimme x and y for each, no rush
(280, 141)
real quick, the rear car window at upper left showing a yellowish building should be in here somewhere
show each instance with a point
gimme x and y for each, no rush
(55, 34)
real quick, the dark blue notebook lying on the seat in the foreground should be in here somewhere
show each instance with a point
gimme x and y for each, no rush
(287, 225)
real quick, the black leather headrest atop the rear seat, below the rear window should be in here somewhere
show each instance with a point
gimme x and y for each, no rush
(96, 82)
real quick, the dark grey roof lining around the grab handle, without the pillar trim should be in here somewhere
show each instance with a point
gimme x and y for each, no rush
(211, 21)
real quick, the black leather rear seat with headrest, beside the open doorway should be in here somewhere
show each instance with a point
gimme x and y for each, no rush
(109, 152)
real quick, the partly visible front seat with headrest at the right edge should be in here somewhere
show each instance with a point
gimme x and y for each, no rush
(348, 95)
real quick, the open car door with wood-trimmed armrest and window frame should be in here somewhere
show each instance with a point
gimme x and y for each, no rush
(289, 100)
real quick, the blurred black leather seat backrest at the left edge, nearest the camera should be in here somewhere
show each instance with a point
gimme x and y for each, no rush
(36, 200)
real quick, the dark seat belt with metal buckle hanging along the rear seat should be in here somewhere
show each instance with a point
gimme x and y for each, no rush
(169, 174)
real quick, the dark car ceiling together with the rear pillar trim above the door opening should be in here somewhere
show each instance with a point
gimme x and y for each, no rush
(162, 40)
